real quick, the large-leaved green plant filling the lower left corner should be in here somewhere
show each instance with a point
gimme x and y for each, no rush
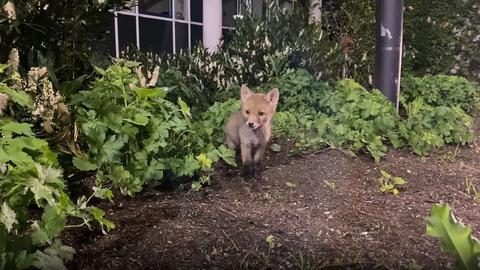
(34, 206)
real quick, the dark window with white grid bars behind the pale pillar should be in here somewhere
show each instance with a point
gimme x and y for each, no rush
(168, 26)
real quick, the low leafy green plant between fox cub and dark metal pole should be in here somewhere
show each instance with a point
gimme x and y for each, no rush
(346, 115)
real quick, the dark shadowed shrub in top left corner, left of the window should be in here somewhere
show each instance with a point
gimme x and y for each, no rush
(66, 36)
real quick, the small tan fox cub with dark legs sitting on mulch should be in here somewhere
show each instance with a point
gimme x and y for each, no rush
(249, 129)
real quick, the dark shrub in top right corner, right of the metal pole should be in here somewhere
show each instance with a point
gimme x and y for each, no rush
(442, 37)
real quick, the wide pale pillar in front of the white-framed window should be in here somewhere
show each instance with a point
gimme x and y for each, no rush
(212, 24)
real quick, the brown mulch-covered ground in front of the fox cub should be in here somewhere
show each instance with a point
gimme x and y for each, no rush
(314, 226)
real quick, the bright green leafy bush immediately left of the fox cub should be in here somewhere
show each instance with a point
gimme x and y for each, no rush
(134, 134)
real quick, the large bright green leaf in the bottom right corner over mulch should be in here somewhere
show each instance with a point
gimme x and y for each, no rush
(456, 239)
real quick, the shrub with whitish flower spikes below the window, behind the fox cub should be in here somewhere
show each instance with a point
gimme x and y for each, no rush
(259, 50)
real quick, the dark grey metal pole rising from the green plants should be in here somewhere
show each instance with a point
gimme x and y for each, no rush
(388, 52)
